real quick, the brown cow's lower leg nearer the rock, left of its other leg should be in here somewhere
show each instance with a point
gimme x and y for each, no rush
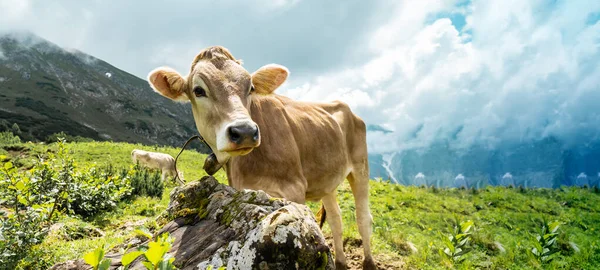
(334, 219)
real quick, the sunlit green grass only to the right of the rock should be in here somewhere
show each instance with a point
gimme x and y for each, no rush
(502, 216)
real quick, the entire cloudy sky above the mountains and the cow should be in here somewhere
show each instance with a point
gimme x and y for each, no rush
(468, 71)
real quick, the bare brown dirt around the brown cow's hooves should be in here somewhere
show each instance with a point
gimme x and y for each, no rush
(354, 255)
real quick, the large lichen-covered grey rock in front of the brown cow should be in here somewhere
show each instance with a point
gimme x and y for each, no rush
(213, 224)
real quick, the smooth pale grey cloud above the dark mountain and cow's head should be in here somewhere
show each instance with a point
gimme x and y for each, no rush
(131, 34)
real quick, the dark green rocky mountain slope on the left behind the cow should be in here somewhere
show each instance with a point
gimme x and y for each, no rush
(46, 89)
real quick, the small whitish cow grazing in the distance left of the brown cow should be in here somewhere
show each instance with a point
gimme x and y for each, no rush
(156, 160)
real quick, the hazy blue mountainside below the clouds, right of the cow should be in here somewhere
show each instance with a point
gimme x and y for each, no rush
(547, 162)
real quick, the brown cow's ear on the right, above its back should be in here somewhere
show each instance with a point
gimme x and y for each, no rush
(268, 78)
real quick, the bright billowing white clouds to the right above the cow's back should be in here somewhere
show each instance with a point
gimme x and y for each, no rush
(517, 71)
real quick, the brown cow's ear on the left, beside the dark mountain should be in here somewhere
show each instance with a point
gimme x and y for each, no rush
(167, 82)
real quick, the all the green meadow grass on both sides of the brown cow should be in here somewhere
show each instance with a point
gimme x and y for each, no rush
(504, 218)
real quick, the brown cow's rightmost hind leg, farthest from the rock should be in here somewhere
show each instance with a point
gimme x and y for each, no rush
(359, 182)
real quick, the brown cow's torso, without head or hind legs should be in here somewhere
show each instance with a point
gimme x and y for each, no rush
(305, 148)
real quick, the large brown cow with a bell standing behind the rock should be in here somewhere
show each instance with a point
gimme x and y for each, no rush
(300, 151)
